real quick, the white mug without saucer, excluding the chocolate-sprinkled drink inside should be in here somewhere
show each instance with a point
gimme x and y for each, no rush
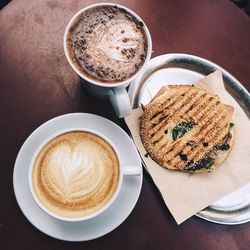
(115, 92)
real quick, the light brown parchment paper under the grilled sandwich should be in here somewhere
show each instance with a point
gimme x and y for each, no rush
(186, 194)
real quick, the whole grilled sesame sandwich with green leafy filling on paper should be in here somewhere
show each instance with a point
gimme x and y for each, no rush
(187, 128)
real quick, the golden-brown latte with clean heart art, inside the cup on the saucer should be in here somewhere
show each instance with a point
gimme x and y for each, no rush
(75, 174)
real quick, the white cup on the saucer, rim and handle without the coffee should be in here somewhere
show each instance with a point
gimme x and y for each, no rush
(124, 171)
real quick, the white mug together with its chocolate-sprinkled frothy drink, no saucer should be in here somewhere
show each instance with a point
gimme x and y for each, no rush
(108, 46)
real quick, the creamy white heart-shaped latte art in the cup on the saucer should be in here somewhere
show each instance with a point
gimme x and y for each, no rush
(74, 172)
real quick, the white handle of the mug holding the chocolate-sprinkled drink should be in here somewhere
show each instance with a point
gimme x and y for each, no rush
(120, 101)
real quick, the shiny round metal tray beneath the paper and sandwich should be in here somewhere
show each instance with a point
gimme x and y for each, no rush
(187, 69)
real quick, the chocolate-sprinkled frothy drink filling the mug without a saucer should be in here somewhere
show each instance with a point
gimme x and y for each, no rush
(107, 44)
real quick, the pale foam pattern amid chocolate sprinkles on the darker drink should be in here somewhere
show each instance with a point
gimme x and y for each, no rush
(108, 46)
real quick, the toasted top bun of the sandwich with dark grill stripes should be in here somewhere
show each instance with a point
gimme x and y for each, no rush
(207, 112)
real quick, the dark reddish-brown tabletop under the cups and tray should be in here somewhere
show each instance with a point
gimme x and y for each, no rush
(38, 84)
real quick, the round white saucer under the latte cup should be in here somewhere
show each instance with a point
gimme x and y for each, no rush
(105, 222)
